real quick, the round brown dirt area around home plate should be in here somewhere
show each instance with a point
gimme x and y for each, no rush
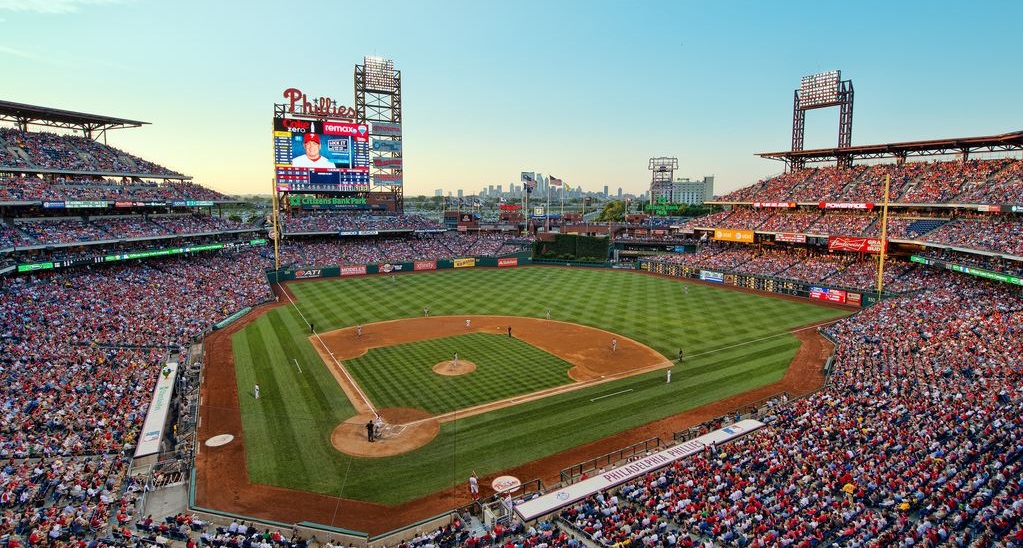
(405, 430)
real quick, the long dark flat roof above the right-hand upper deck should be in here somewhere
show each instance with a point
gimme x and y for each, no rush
(966, 146)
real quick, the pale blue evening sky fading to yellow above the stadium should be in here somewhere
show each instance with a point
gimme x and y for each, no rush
(588, 92)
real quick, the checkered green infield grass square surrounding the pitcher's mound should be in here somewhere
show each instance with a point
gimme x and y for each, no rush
(403, 376)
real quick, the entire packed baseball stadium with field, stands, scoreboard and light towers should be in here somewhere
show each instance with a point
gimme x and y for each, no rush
(829, 356)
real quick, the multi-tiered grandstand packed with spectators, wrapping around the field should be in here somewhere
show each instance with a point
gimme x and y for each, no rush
(116, 267)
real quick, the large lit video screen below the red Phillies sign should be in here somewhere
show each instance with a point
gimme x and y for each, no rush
(321, 156)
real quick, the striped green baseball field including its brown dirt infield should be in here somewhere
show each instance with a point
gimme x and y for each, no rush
(552, 386)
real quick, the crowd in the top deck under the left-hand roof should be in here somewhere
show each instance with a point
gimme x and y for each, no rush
(54, 152)
